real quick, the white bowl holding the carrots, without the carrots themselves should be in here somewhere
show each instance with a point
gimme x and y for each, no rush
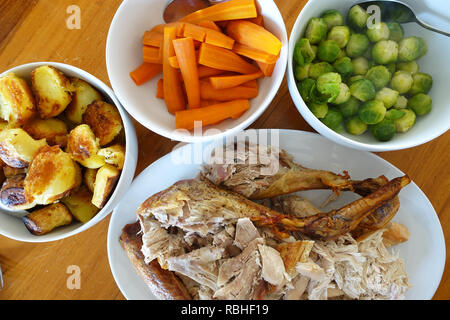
(123, 54)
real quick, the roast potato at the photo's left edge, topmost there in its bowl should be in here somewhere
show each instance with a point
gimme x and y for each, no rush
(16, 100)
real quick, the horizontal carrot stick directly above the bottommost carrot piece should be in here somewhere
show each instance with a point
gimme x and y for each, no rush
(208, 92)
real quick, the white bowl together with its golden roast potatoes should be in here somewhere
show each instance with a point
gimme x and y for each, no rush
(68, 151)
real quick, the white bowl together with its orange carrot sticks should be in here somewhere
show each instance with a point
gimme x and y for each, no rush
(210, 74)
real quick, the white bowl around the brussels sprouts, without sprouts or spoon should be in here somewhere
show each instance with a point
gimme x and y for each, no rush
(435, 62)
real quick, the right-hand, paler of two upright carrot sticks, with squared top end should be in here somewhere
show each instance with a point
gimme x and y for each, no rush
(185, 53)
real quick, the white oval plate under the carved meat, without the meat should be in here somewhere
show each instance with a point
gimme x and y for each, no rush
(424, 252)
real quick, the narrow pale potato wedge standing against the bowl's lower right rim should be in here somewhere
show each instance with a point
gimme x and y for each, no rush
(105, 182)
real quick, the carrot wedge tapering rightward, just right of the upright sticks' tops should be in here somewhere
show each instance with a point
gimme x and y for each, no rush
(223, 59)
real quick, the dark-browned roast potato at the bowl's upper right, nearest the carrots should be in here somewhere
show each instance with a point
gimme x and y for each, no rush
(105, 121)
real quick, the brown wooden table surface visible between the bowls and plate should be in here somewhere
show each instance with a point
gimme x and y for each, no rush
(35, 30)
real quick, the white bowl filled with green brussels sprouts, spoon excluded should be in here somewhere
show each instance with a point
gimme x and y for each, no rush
(368, 84)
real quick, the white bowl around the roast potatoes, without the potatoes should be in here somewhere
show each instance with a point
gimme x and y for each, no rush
(13, 227)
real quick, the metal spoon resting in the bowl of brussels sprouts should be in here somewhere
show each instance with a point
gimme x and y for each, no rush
(400, 12)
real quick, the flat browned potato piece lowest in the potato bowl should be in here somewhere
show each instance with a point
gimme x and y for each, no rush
(44, 220)
